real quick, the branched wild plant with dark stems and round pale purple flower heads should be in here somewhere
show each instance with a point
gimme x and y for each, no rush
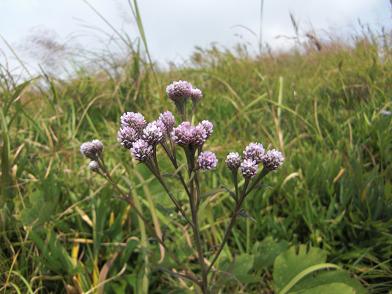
(183, 144)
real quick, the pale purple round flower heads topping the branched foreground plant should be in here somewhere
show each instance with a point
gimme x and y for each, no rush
(141, 138)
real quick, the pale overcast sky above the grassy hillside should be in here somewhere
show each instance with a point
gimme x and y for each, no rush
(173, 27)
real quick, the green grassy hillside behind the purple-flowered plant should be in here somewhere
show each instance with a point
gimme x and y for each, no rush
(326, 109)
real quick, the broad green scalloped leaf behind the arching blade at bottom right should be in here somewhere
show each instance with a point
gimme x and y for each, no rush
(290, 263)
